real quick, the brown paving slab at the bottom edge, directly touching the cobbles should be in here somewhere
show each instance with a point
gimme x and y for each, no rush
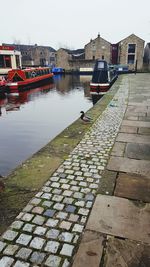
(90, 250)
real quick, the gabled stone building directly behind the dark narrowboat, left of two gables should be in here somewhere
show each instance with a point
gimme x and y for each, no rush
(98, 48)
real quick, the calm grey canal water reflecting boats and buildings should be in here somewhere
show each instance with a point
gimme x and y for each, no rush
(29, 120)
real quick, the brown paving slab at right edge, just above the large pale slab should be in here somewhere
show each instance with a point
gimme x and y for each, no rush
(133, 187)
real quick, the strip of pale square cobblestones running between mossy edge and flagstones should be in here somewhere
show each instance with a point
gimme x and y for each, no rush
(48, 230)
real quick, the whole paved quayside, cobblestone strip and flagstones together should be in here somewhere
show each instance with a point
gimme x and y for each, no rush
(94, 210)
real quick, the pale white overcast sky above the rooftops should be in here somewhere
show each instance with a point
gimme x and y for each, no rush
(72, 23)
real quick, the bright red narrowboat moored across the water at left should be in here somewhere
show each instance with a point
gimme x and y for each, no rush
(23, 79)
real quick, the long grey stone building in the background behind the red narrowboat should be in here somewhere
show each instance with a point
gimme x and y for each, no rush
(34, 55)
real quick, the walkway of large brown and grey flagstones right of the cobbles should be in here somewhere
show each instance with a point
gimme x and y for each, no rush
(120, 218)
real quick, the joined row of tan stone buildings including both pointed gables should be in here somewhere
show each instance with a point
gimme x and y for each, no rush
(128, 51)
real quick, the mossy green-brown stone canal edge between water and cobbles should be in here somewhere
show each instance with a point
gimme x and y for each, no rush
(22, 184)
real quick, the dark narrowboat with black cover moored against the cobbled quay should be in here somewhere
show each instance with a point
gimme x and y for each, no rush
(103, 77)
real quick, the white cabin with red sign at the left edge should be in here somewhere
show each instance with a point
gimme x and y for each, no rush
(9, 59)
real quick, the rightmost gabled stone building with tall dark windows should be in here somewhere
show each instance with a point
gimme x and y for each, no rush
(131, 52)
